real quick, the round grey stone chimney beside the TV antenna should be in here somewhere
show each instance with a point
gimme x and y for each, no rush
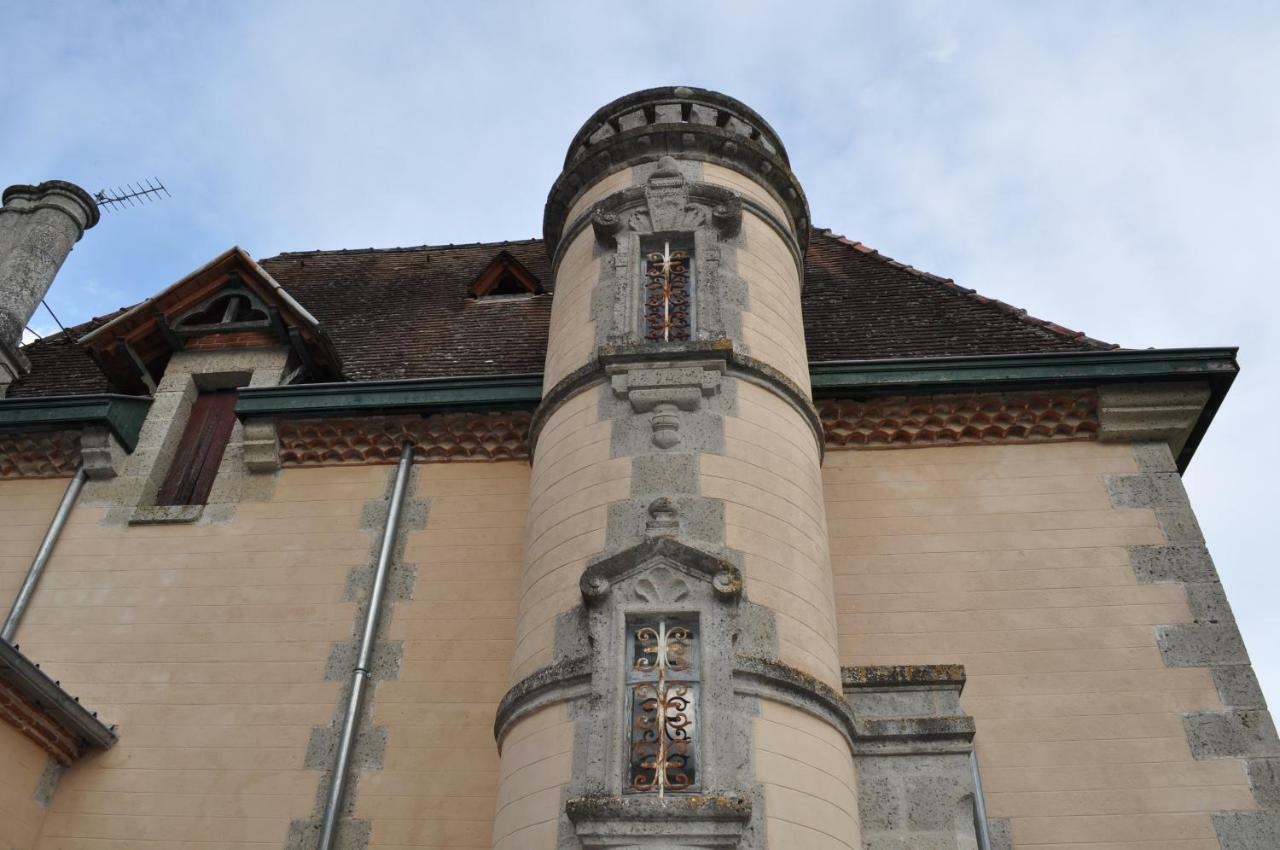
(39, 226)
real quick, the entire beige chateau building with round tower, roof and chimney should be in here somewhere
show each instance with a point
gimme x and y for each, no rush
(688, 525)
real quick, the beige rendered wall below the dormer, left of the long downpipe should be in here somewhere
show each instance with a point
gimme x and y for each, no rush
(207, 645)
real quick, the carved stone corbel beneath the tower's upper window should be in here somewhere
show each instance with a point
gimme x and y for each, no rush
(662, 390)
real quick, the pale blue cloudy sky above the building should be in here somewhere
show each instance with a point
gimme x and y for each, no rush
(1113, 167)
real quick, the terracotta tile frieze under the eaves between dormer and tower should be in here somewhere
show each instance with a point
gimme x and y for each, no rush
(378, 440)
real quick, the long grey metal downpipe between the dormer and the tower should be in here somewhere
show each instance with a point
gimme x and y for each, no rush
(362, 673)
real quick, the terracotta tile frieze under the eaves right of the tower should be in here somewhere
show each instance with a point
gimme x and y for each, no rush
(959, 419)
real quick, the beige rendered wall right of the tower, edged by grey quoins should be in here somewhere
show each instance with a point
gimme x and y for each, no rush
(1012, 561)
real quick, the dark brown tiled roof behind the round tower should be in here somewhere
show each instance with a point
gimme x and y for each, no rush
(406, 313)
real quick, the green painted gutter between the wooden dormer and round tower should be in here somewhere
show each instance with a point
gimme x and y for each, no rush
(392, 396)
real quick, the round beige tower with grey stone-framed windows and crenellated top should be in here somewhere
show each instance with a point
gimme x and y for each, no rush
(676, 675)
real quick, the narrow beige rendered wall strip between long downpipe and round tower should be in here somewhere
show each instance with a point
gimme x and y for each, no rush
(440, 780)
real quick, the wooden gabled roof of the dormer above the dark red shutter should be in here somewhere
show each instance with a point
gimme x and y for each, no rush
(230, 303)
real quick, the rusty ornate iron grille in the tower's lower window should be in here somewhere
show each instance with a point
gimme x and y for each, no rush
(664, 678)
